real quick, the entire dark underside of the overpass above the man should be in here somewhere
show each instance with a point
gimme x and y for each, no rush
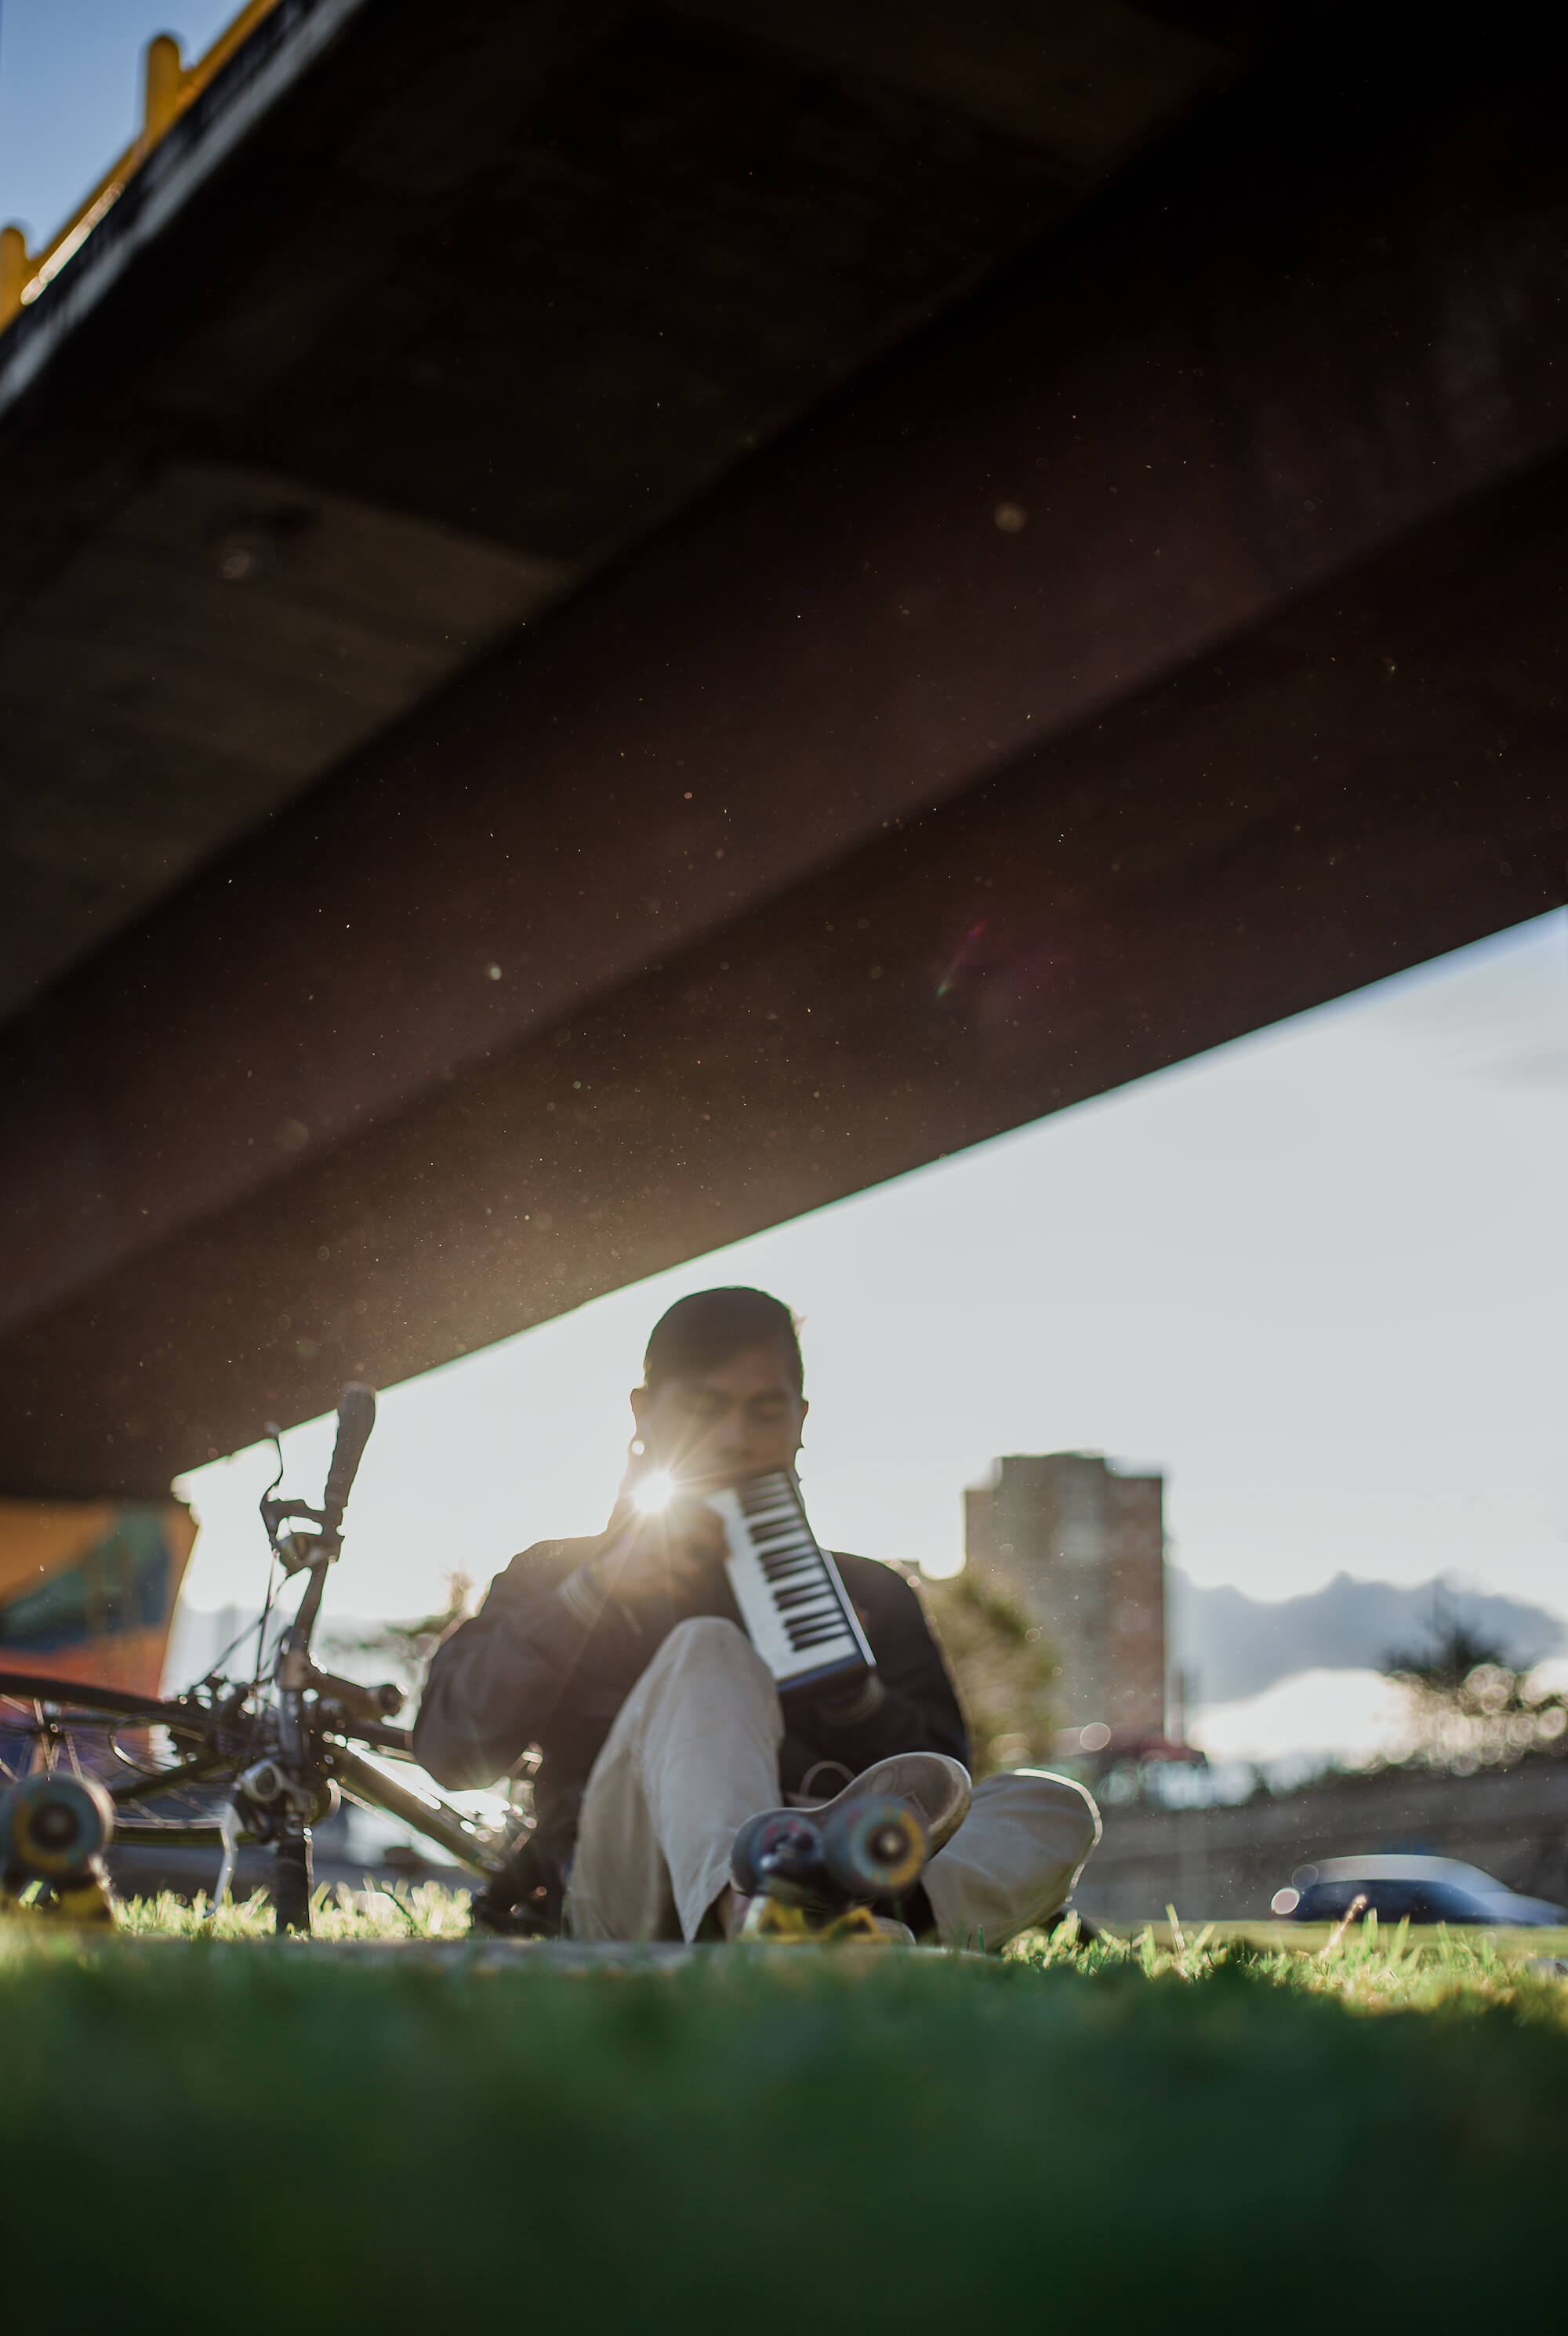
(618, 623)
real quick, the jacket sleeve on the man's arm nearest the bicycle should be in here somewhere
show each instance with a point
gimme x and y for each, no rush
(497, 1683)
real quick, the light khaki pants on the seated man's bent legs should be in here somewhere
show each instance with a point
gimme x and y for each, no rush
(695, 1753)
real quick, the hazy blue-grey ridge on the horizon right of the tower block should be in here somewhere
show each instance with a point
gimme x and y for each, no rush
(1235, 1646)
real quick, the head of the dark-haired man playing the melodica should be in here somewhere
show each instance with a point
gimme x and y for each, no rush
(721, 1389)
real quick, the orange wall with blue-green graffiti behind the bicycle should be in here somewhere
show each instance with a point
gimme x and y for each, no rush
(88, 1587)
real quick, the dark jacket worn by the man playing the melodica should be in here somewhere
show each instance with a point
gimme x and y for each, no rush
(550, 1662)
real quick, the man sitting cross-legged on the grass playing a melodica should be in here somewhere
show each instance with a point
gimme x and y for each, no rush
(660, 1725)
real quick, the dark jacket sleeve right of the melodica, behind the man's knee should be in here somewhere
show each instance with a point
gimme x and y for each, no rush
(910, 1702)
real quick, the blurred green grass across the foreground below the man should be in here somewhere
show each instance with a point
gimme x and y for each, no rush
(1125, 2136)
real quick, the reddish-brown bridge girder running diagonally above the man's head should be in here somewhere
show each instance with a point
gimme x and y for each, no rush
(1163, 641)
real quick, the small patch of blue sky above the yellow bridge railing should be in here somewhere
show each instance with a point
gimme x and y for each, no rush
(71, 78)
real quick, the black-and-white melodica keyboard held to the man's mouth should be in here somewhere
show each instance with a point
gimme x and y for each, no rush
(789, 1587)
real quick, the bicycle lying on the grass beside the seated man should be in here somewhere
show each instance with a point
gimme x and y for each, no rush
(226, 1765)
